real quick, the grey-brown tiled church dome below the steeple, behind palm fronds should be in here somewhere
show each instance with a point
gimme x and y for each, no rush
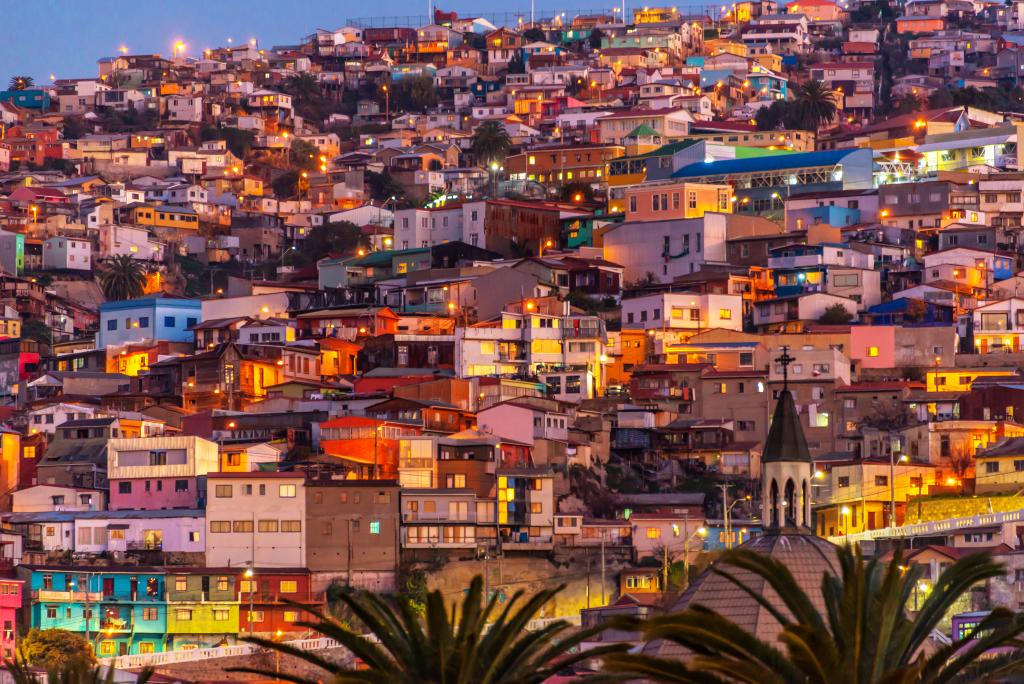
(808, 558)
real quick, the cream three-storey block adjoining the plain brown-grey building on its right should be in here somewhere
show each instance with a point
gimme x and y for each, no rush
(255, 519)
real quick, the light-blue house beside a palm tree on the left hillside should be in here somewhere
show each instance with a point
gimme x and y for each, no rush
(154, 318)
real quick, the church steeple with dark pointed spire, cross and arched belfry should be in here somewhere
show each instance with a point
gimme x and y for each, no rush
(786, 464)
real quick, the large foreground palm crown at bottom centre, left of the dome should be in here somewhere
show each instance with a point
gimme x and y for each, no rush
(439, 647)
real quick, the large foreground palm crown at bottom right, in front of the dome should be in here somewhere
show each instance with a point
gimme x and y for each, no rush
(866, 635)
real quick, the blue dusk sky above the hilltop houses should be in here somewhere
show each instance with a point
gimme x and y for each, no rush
(66, 37)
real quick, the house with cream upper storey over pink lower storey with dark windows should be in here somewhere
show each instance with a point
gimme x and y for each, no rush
(160, 473)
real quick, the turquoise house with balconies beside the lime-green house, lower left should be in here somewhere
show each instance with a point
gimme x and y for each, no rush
(121, 612)
